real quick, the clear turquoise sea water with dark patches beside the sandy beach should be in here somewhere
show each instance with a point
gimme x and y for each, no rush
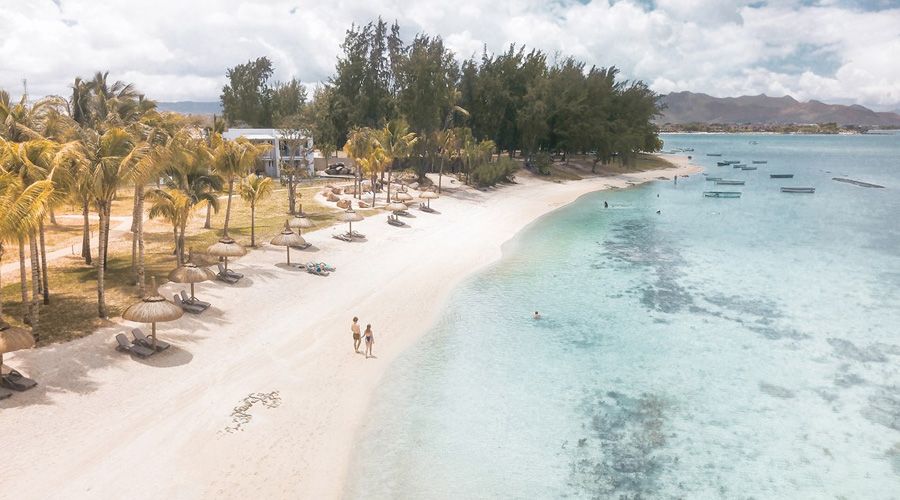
(724, 348)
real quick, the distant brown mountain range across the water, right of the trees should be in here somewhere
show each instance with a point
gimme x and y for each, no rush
(688, 107)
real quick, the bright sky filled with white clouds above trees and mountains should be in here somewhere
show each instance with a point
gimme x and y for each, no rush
(836, 51)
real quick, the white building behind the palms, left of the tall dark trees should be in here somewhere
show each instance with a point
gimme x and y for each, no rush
(280, 153)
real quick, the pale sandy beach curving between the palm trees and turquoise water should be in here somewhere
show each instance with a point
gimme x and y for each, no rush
(104, 425)
